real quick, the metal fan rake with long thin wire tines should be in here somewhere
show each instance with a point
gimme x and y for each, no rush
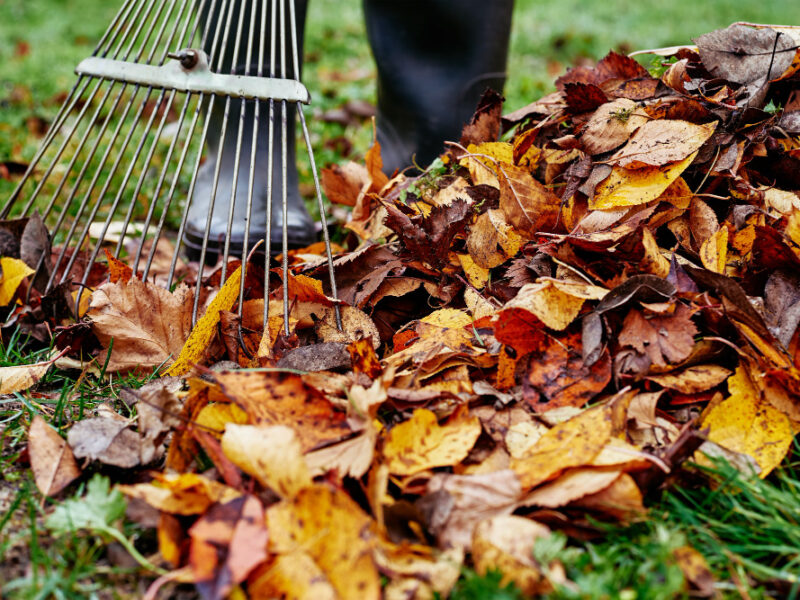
(103, 156)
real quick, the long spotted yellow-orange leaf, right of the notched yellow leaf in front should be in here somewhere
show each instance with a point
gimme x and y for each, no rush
(573, 443)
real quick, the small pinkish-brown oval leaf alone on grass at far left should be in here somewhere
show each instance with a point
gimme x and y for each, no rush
(52, 461)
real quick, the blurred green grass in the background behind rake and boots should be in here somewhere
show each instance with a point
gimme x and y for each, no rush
(41, 41)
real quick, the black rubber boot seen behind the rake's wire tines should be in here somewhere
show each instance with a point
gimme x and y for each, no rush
(300, 226)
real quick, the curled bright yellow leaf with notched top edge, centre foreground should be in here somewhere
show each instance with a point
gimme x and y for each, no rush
(421, 443)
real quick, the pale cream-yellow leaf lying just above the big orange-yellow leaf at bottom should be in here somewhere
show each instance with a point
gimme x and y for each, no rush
(271, 454)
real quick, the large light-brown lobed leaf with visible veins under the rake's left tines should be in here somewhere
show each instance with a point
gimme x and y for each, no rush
(149, 325)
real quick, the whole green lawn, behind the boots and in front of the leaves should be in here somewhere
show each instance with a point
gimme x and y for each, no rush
(747, 529)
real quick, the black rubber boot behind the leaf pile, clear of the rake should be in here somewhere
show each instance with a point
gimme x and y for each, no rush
(435, 59)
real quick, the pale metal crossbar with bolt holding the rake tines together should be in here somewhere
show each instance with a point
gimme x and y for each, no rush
(198, 78)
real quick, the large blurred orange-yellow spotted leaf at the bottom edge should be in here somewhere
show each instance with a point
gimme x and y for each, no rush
(333, 531)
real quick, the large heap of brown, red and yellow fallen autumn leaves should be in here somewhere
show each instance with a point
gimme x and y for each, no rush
(537, 333)
